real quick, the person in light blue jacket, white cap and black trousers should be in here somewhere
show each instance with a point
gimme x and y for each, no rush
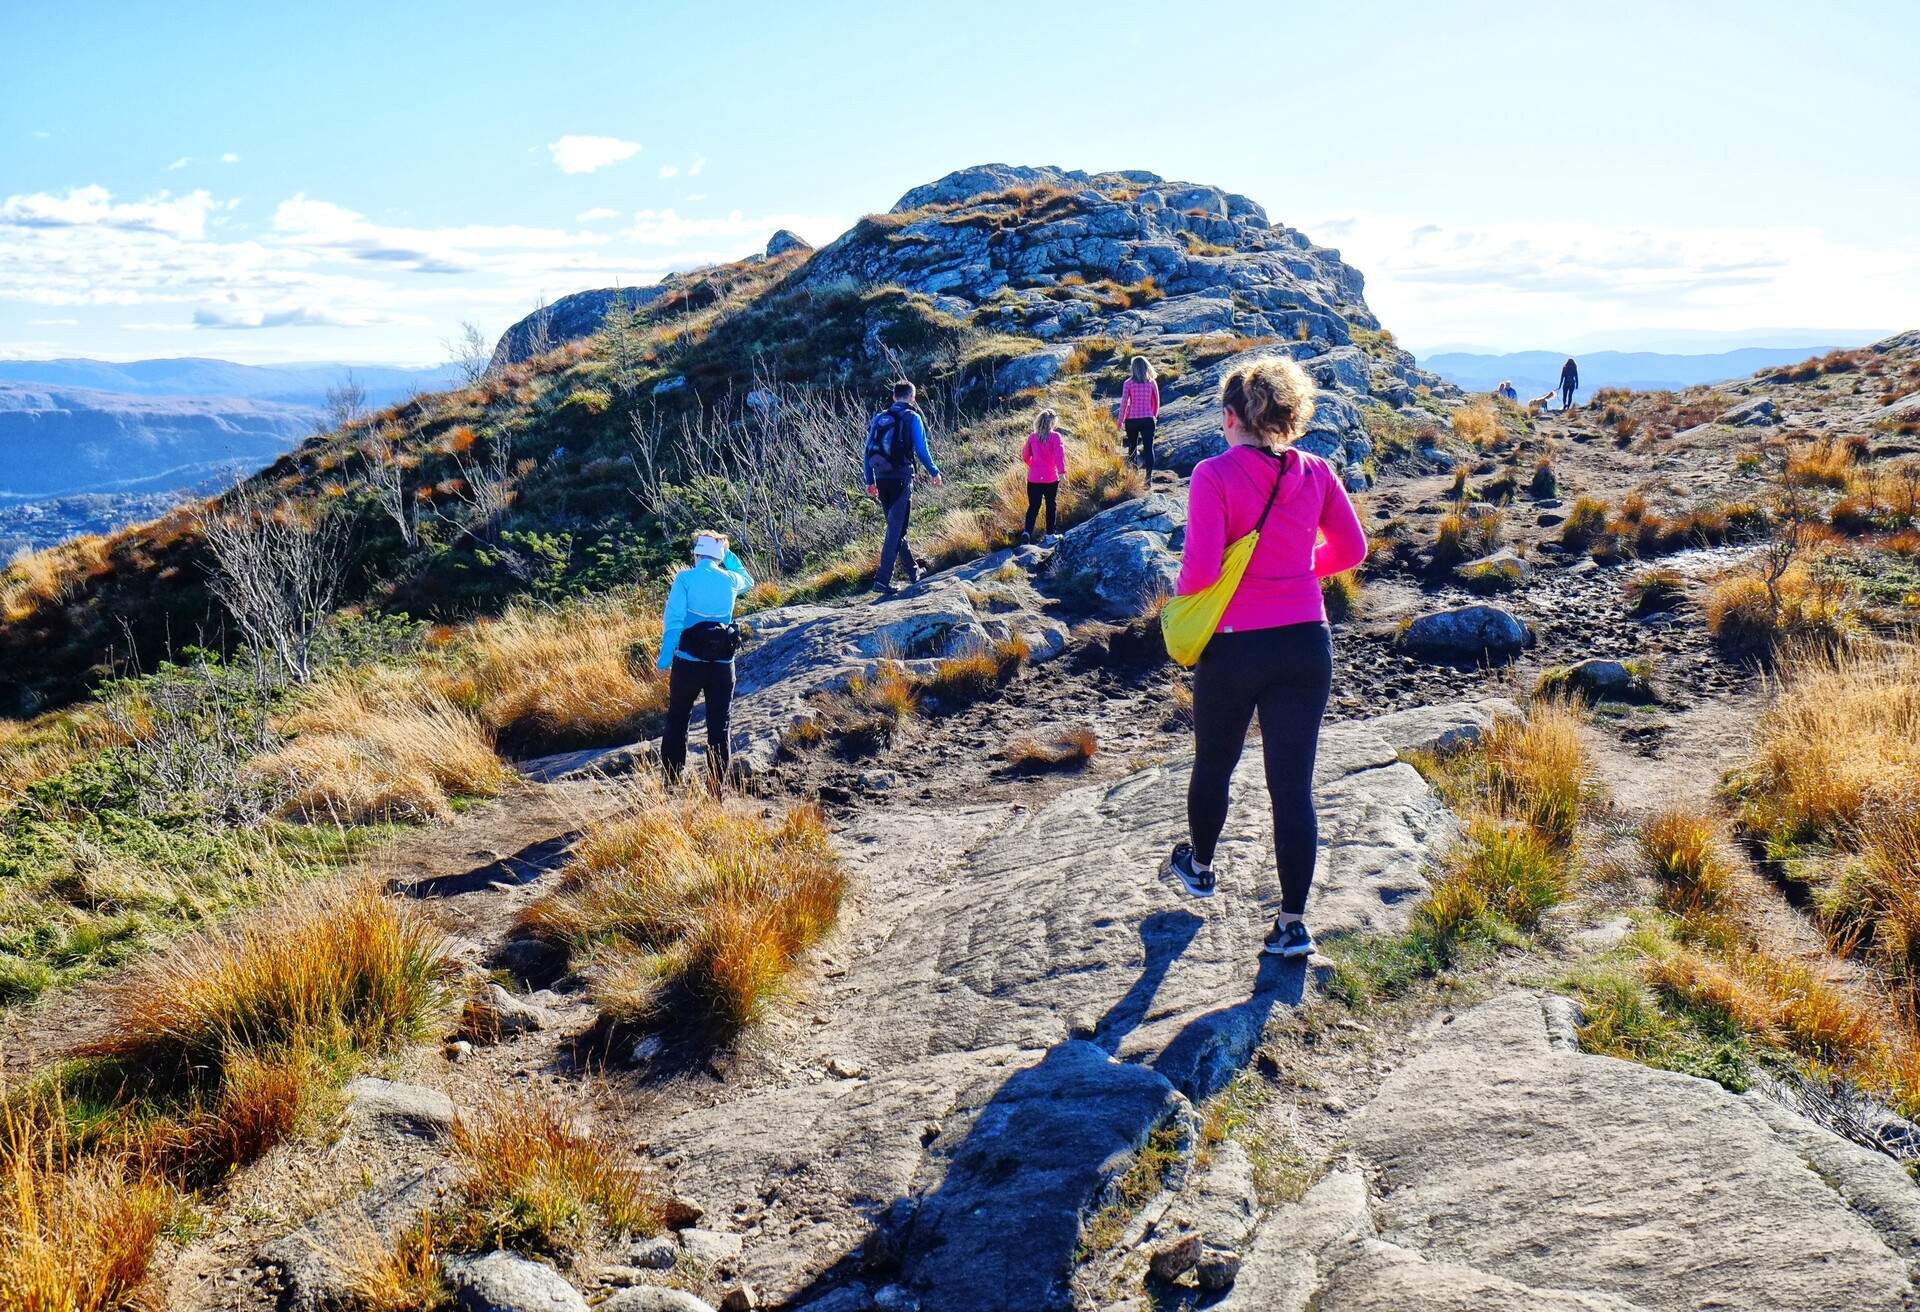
(698, 643)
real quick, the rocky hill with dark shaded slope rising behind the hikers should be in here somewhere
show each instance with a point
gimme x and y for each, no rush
(527, 483)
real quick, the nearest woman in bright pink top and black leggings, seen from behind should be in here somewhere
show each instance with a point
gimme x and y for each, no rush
(1272, 652)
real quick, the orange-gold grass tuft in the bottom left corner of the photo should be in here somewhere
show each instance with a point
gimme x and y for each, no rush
(76, 1234)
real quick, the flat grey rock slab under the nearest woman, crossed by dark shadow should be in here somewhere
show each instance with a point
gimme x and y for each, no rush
(1026, 1004)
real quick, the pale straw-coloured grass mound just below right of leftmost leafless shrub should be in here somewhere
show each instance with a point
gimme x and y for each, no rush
(379, 748)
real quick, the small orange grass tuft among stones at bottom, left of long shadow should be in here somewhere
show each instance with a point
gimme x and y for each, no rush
(535, 1180)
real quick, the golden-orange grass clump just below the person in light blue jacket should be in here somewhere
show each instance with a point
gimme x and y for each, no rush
(698, 900)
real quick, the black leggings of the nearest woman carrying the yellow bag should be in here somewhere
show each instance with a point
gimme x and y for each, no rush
(1285, 675)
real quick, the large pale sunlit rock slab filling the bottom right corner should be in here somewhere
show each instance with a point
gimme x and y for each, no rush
(1499, 1171)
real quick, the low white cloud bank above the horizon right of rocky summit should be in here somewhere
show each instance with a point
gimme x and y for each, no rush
(1531, 285)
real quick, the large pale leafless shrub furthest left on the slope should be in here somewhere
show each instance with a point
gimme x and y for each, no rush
(277, 568)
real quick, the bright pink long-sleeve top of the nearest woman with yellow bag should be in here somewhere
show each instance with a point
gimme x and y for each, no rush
(1312, 533)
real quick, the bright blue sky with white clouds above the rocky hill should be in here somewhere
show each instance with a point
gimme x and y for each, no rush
(352, 182)
